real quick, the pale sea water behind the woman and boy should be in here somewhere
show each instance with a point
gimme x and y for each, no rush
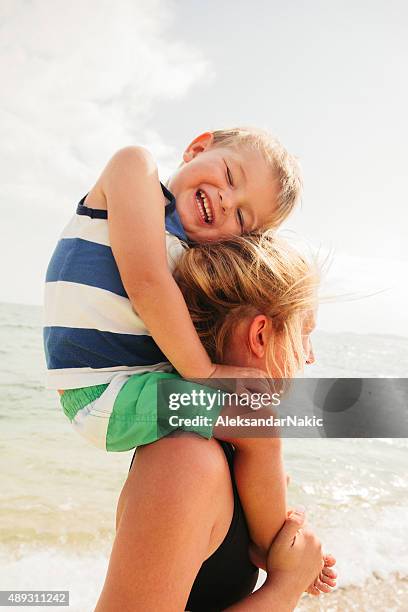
(58, 495)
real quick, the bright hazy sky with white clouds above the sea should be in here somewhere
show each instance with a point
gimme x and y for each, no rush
(84, 78)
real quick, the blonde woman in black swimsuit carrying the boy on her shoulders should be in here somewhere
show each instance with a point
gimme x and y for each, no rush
(181, 541)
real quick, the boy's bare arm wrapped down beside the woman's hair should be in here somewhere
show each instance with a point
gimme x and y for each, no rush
(135, 203)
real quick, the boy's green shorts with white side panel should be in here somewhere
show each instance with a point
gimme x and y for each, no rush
(137, 409)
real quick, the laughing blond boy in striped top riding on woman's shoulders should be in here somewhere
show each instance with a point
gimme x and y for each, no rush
(116, 321)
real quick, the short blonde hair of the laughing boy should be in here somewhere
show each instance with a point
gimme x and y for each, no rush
(285, 166)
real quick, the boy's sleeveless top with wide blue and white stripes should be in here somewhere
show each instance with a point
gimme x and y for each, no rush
(91, 332)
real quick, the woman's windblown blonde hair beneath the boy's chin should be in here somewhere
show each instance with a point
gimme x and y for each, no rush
(244, 276)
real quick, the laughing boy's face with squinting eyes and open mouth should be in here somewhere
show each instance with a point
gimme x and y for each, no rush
(223, 191)
